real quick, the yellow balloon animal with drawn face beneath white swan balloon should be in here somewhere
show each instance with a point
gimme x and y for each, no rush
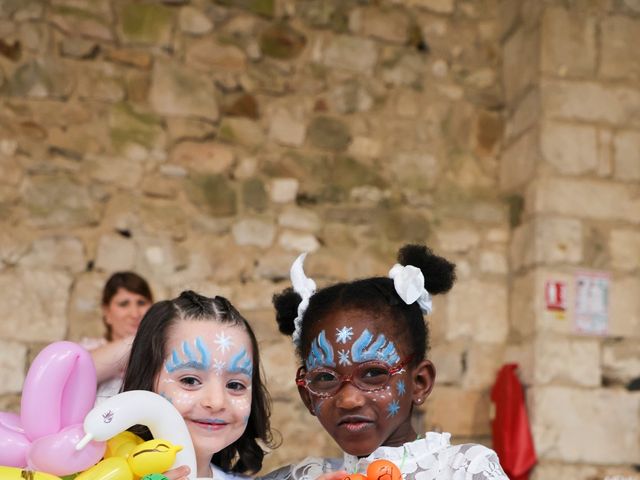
(146, 458)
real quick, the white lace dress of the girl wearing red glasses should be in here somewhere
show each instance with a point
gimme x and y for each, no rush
(429, 458)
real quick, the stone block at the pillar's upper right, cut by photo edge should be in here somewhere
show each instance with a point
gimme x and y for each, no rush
(617, 33)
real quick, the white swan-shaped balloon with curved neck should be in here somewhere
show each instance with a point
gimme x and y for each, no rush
(140, 407)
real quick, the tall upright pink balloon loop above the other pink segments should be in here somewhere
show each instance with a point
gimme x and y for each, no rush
(59, 390)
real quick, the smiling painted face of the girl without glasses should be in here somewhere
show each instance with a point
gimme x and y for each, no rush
(207, 376)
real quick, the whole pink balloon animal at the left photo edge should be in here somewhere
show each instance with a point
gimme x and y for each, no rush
(58, 391)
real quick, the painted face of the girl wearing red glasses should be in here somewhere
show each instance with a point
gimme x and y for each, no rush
(360, 421)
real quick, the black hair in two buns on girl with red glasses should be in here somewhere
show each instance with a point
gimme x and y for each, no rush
(376, 295)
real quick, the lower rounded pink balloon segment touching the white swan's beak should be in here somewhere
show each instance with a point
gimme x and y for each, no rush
(56, 454)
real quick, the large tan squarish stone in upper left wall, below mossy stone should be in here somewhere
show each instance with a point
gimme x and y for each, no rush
(177, 91)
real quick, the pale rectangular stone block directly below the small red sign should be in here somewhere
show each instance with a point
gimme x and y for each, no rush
(567, 361)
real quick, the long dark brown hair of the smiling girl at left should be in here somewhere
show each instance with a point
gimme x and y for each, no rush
(148, 354)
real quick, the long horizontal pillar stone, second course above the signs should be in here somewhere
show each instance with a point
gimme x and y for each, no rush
(567, 197)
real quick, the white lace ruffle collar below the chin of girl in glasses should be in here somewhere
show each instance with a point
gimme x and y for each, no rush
(408, 452)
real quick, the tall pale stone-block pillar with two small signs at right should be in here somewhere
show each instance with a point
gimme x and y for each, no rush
(571, 165)
